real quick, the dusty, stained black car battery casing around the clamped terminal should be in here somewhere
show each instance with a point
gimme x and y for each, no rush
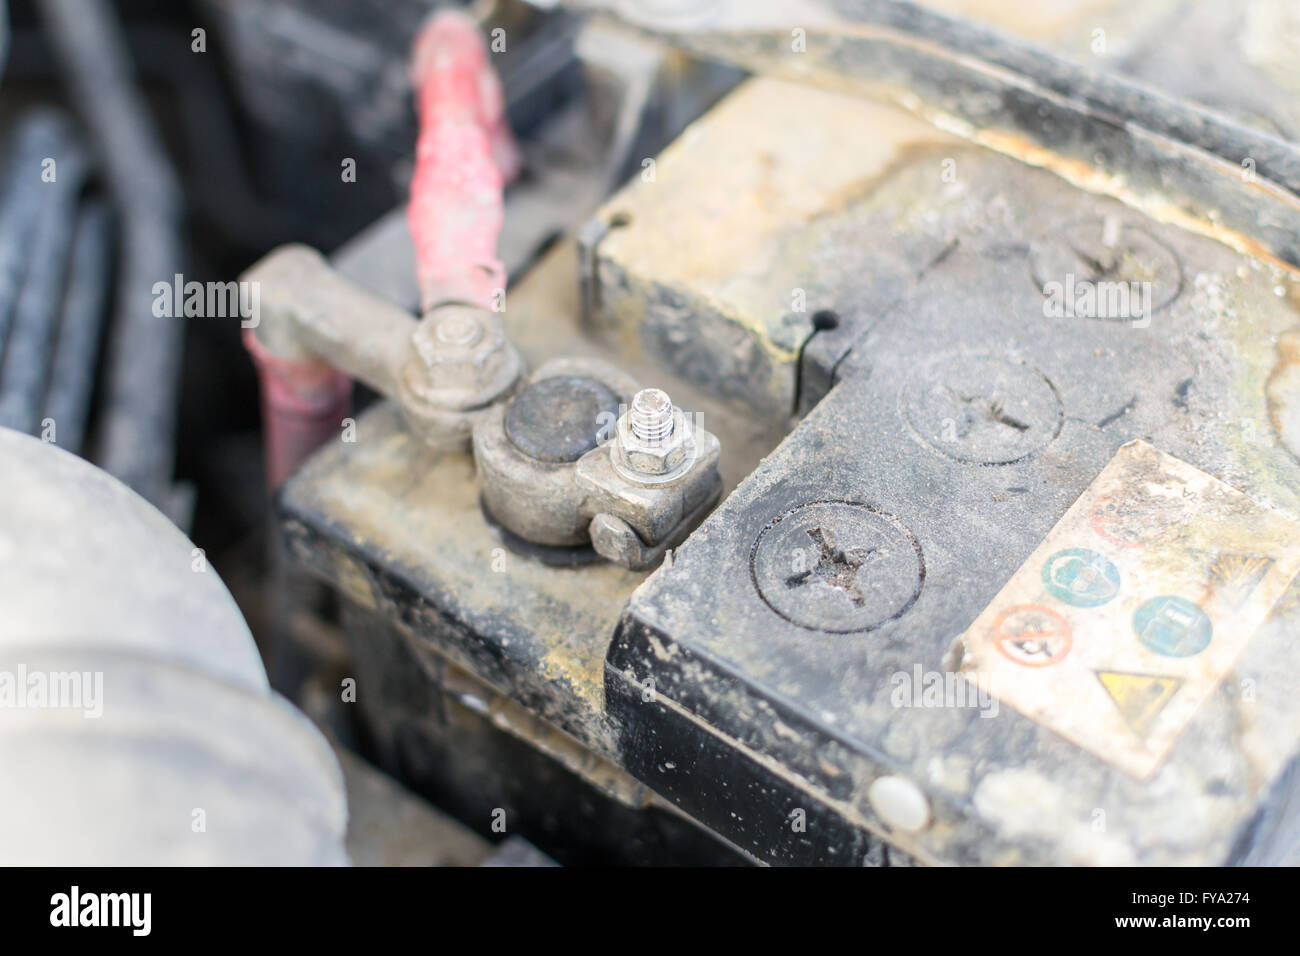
(1016, 589)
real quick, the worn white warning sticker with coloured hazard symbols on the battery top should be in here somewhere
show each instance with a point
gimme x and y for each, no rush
(1134, 608)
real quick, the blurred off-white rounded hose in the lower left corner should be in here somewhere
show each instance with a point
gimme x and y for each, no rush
(137, 726)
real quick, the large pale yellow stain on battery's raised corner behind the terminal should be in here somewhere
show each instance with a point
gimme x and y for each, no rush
(764, 165)
